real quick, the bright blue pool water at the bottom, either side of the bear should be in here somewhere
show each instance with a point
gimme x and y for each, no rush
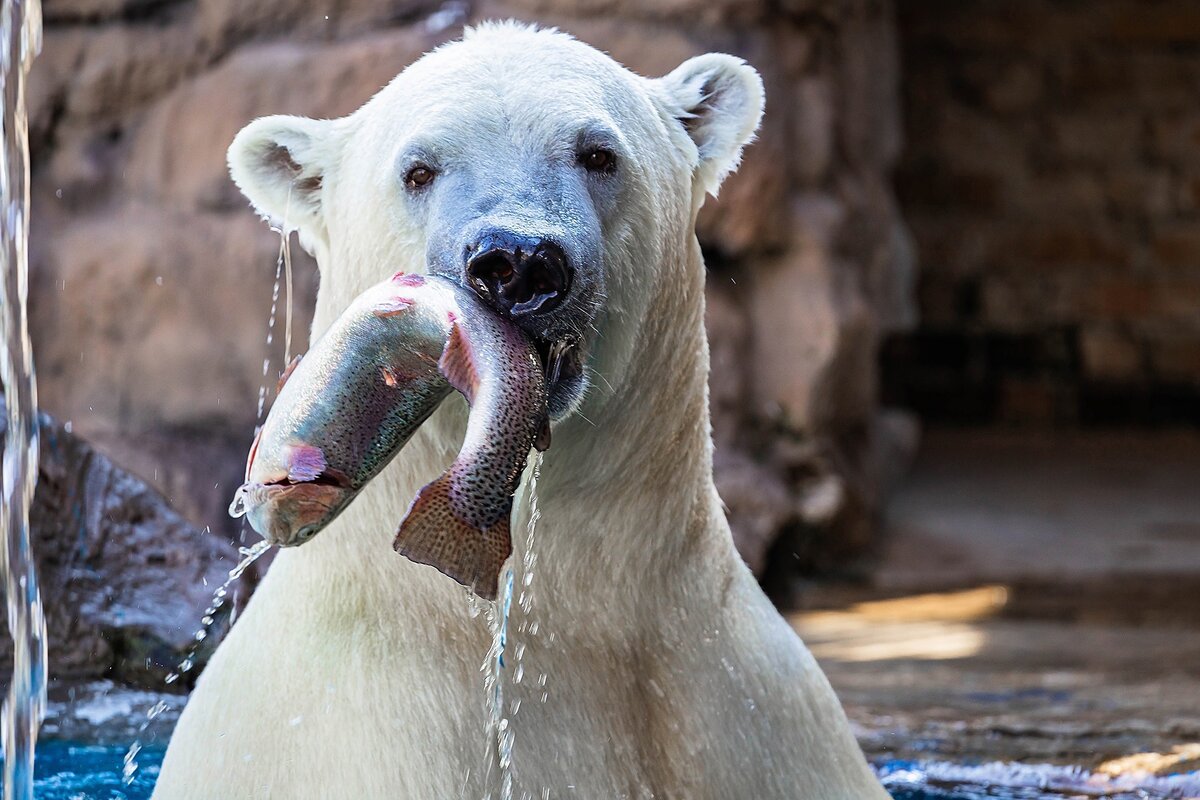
(81, 772)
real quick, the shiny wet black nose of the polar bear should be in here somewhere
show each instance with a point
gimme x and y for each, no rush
(519, 275)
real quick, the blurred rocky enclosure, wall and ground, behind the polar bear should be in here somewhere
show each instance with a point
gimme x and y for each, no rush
(953, 303)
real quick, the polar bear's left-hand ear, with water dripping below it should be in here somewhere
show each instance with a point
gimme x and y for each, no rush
(280, 165)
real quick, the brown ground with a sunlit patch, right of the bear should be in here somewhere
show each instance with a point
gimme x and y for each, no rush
(1066, 624)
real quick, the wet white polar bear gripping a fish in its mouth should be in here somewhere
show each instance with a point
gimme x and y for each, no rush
(649, 664)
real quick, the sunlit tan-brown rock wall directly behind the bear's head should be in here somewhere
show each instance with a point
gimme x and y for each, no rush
(154, 281)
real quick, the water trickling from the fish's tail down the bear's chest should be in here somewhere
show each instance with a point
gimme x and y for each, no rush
(501, 733)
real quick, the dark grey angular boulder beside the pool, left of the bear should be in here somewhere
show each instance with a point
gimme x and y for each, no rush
(123, 578)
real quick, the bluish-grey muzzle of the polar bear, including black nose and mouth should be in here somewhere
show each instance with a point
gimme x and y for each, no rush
(526, 236)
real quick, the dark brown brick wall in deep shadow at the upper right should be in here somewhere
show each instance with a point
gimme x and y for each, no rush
(1053, 183)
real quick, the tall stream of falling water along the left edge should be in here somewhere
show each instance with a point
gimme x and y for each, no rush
(21, 28)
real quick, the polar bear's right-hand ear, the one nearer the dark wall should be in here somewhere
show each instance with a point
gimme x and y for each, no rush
(718, 99)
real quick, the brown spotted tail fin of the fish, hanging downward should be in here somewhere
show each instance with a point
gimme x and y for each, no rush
(434, 536)
